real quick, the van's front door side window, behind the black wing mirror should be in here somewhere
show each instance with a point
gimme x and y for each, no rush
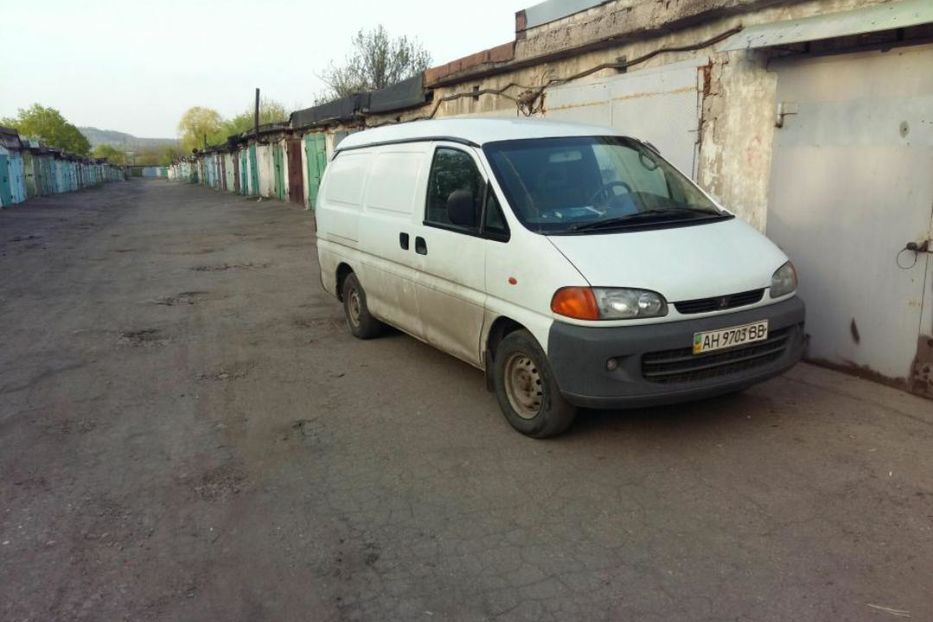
(455, 191)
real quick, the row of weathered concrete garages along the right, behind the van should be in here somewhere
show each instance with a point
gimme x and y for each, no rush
(812, 120)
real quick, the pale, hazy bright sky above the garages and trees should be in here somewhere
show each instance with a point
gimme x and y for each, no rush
(137, 66)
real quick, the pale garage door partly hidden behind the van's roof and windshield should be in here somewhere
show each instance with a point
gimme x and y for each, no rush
(658, 105)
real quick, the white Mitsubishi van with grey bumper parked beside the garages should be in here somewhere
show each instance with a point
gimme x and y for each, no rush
(571, 263)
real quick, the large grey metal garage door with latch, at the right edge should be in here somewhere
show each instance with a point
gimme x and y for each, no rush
(851, 187)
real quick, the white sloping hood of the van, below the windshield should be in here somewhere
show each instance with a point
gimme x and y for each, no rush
(682, 263)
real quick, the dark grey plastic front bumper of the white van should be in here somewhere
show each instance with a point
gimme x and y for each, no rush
(655, 361)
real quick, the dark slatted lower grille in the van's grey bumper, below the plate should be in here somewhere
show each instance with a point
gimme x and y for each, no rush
(681, 365)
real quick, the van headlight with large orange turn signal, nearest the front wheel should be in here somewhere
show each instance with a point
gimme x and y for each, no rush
(608, 303)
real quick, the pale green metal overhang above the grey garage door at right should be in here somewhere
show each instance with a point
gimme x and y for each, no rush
(886, 16)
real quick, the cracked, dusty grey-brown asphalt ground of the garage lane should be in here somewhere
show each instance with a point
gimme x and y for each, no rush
(188, 432)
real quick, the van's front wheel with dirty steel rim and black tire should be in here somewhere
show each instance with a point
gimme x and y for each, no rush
(527, 390)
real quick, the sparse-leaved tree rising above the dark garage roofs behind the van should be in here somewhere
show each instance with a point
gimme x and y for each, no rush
(378, 60)
